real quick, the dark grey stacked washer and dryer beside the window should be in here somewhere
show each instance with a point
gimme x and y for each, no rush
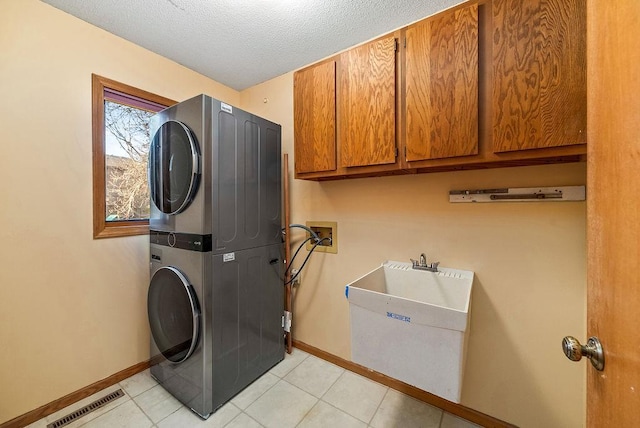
(215, 300)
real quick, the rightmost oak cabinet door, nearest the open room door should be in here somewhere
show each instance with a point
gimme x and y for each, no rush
(539, 73)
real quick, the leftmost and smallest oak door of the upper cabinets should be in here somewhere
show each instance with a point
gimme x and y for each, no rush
(314, 100)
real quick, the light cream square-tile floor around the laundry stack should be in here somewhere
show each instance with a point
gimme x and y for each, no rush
(302, 391)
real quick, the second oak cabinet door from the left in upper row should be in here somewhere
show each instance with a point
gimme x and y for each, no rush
(366, 106)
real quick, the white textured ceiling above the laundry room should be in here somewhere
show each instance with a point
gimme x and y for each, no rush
(240, 43)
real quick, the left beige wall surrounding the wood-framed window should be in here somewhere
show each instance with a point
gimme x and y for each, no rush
(72, 309)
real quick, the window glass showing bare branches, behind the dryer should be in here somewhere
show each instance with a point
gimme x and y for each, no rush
(126, 151)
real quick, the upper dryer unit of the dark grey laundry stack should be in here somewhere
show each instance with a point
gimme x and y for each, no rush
(215, 170)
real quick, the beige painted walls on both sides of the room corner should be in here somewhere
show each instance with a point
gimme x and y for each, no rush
(73, 309)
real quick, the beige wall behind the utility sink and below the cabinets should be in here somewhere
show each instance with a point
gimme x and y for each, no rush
(529, 260)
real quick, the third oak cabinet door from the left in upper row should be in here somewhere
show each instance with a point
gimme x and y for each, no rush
(442, 86)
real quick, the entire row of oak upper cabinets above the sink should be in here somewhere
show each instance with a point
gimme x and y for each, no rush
(485, 84)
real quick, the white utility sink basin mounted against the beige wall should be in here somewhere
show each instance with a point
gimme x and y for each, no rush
(412, 325)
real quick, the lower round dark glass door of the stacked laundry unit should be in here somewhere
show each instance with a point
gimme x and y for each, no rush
(174, 314)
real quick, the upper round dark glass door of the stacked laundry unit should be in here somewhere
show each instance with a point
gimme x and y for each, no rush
(174, 167)
